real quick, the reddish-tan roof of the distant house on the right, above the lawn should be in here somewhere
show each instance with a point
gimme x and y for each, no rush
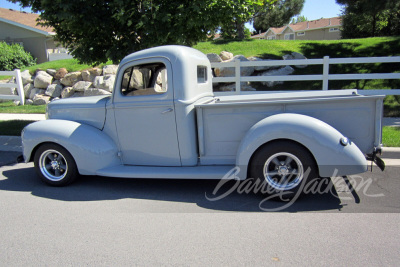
(307, 25)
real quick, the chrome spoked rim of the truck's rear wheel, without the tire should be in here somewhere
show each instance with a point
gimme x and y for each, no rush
(283, 171)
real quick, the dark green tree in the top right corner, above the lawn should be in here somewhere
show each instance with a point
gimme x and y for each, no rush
(369, 18)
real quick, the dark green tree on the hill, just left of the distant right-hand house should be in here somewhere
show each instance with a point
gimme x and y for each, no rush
(280, 14)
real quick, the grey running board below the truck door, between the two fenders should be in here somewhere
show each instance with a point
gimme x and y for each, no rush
(196, 172)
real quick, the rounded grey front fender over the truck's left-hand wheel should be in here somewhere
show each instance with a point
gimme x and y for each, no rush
(91, 148)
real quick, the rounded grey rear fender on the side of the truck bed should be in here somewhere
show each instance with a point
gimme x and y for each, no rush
(321, 139)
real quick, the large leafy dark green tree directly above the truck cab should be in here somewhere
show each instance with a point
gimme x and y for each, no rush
(96, 31)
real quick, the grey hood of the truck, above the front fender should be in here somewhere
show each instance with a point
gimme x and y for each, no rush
(86, 110)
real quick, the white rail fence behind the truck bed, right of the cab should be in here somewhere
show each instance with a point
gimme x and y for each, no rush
(325, 77)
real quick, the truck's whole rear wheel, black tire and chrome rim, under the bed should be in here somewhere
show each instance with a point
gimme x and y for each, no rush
(283, 167)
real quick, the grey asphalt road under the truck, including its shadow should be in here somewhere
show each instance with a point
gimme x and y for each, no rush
(116, 222)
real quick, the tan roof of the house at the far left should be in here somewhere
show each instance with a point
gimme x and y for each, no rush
(24, 20)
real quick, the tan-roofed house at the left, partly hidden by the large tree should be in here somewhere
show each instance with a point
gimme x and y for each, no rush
(21, 27)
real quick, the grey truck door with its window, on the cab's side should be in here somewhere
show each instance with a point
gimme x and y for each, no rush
(145, 114)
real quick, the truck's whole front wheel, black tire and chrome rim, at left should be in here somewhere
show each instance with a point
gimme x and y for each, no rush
(55, 165)
